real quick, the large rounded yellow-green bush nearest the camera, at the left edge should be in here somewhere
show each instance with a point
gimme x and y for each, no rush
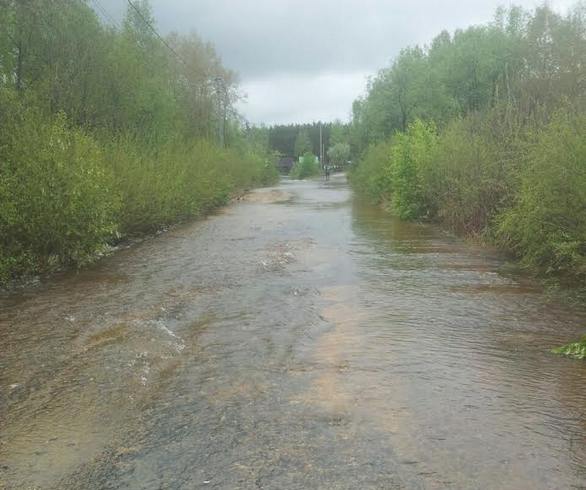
(57, 204)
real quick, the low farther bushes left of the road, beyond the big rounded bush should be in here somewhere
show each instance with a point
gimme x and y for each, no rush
(180, 180)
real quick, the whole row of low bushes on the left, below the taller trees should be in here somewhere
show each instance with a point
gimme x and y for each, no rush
(65, 195)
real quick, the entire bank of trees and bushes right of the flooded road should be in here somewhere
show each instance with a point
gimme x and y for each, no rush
(484, 131)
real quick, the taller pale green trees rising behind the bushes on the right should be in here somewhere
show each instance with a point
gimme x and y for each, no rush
(532, 61)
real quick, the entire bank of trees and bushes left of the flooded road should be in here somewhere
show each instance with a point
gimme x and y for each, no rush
(109, 130)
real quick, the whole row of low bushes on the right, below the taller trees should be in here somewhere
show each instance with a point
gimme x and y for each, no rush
(481, 176)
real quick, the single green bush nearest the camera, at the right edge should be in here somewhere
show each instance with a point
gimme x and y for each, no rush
(546, 226)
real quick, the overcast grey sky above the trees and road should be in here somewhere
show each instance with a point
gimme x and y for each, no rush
(306, 60)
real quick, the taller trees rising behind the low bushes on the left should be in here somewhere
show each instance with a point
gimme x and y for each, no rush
(123, 80)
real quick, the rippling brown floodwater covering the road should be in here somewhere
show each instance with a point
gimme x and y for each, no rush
(297, 339)
